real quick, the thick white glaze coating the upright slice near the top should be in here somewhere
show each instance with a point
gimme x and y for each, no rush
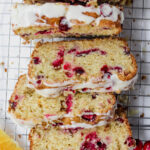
(24, 15)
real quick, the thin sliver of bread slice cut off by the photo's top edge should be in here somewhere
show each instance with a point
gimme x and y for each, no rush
(82, 2)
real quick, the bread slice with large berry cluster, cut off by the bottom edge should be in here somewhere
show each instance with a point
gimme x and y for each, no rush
(115, 136)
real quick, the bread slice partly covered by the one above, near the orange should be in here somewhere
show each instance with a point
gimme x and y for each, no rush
(28, 108)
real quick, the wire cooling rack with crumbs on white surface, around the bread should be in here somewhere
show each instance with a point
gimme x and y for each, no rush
(14, 58)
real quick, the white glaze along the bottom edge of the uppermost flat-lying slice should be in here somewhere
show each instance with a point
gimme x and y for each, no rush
(114, 82)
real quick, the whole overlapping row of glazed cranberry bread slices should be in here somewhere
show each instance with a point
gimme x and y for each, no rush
(67, 97)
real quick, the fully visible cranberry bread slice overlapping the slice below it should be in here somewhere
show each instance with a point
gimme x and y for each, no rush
(97, 65)
